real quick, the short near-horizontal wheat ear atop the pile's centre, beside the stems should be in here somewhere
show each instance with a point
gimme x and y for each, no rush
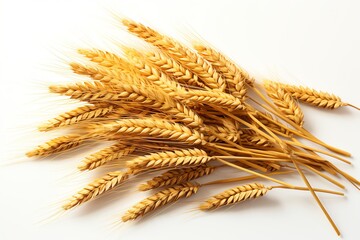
(214, 97)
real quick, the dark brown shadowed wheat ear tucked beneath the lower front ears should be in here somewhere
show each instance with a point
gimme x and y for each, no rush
(177, 176)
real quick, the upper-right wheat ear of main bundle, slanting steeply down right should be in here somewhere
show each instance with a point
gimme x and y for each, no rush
(234, 76)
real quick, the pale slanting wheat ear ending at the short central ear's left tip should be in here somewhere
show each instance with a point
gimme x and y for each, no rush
(155, 76)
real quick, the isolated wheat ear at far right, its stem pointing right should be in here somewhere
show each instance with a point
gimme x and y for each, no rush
(314, 97)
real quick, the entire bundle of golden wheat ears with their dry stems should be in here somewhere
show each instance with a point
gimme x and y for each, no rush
(183, 112)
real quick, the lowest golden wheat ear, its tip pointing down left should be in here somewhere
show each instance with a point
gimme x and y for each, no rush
(159, 199)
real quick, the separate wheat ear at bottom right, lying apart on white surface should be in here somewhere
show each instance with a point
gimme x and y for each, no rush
(234, 195)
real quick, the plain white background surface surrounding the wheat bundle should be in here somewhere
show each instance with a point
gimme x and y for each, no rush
(314, 43)
